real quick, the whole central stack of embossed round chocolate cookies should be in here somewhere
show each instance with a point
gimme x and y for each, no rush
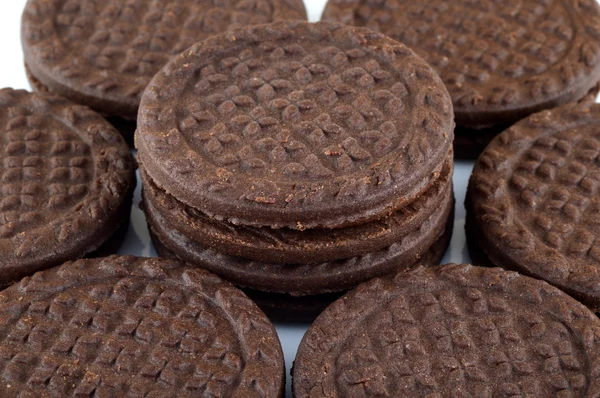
(298, 158)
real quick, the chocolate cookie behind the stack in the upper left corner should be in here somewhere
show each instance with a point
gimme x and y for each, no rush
(103, 53)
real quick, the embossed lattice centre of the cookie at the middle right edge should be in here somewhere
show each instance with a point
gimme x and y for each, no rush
(557, 179)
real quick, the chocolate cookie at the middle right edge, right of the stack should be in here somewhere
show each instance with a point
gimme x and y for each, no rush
(533, 199)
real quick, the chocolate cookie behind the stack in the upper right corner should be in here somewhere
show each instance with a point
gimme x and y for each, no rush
(501, 60)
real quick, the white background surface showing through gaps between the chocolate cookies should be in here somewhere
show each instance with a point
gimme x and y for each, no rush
(138, 242)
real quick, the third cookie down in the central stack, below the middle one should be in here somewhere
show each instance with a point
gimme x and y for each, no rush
(302, 280)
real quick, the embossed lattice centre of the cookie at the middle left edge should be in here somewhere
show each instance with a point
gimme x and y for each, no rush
(45, 169)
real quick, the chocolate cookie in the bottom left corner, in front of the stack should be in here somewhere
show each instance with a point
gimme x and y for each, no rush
(135, 327)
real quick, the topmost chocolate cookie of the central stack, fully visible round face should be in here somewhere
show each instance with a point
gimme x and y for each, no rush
(295, 125)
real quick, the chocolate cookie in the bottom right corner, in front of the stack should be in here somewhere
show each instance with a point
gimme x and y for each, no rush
(451, 331)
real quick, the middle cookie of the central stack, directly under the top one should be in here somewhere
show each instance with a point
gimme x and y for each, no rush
(290, 246)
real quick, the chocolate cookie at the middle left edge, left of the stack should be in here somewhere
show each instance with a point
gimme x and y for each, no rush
(66, 183)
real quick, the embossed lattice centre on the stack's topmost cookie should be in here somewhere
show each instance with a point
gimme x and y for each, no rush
(272, 114)
